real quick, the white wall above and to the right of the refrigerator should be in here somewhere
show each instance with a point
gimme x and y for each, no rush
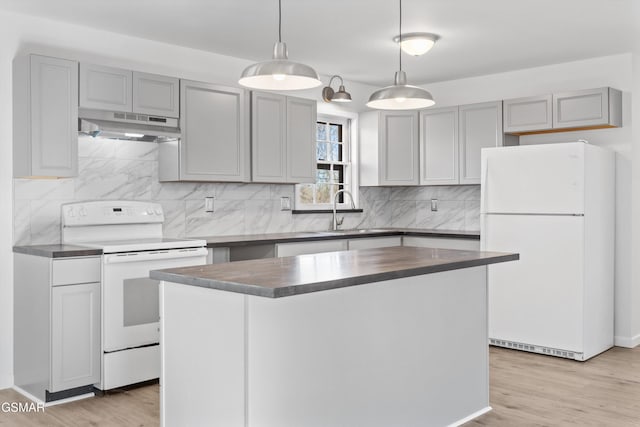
(614, 71)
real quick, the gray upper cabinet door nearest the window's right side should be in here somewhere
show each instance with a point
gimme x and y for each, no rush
(398, 148)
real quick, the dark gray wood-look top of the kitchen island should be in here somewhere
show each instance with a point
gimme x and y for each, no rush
(281, 277)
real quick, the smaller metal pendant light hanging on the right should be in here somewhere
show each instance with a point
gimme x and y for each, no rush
(400, 96)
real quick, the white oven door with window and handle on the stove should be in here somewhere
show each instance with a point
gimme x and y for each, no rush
(130, 306)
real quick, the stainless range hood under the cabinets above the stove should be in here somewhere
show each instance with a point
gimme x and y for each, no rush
(127, 126)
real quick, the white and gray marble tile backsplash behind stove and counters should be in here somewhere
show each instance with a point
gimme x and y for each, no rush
(129, 170)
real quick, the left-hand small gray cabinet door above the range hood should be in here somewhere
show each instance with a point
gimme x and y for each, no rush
(105, 88)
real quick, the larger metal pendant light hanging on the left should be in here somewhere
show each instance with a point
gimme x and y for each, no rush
(279, 73)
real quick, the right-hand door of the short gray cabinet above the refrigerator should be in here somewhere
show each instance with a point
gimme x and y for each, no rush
(581, 108)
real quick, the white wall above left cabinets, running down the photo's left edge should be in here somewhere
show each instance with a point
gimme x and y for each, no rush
(24, 34)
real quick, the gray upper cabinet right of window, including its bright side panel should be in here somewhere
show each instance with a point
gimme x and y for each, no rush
(389, 148)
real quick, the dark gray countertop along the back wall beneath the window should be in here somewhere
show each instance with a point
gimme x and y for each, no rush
(254, 239)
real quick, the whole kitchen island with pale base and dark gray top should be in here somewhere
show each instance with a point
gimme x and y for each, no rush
(376, 337)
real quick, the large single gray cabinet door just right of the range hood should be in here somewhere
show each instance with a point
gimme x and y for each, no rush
(214, 144)
